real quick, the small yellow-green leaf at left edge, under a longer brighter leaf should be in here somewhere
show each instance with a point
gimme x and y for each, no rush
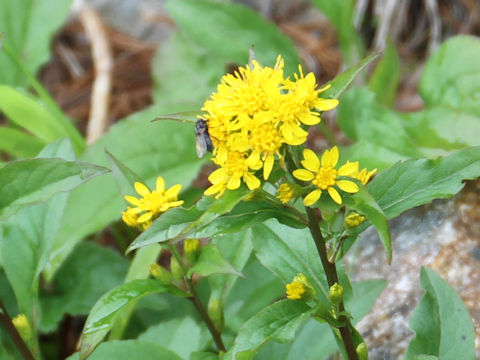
(18, 143)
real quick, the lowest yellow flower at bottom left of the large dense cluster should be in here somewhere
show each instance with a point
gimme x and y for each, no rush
(231, 173)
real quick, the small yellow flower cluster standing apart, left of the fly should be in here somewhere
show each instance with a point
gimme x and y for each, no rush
(151, 203)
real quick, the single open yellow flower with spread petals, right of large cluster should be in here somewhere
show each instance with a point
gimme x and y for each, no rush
(324, 176)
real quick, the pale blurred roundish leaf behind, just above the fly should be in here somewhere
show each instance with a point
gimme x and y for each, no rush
(183, 70)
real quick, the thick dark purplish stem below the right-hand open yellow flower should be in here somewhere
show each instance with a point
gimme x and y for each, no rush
(332, 278)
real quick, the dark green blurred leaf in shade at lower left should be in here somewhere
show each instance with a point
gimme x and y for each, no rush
(89, 272)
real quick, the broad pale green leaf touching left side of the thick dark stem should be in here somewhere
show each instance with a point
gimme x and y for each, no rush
(287, 252)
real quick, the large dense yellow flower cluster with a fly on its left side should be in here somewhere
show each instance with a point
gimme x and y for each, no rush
(253, 113)
